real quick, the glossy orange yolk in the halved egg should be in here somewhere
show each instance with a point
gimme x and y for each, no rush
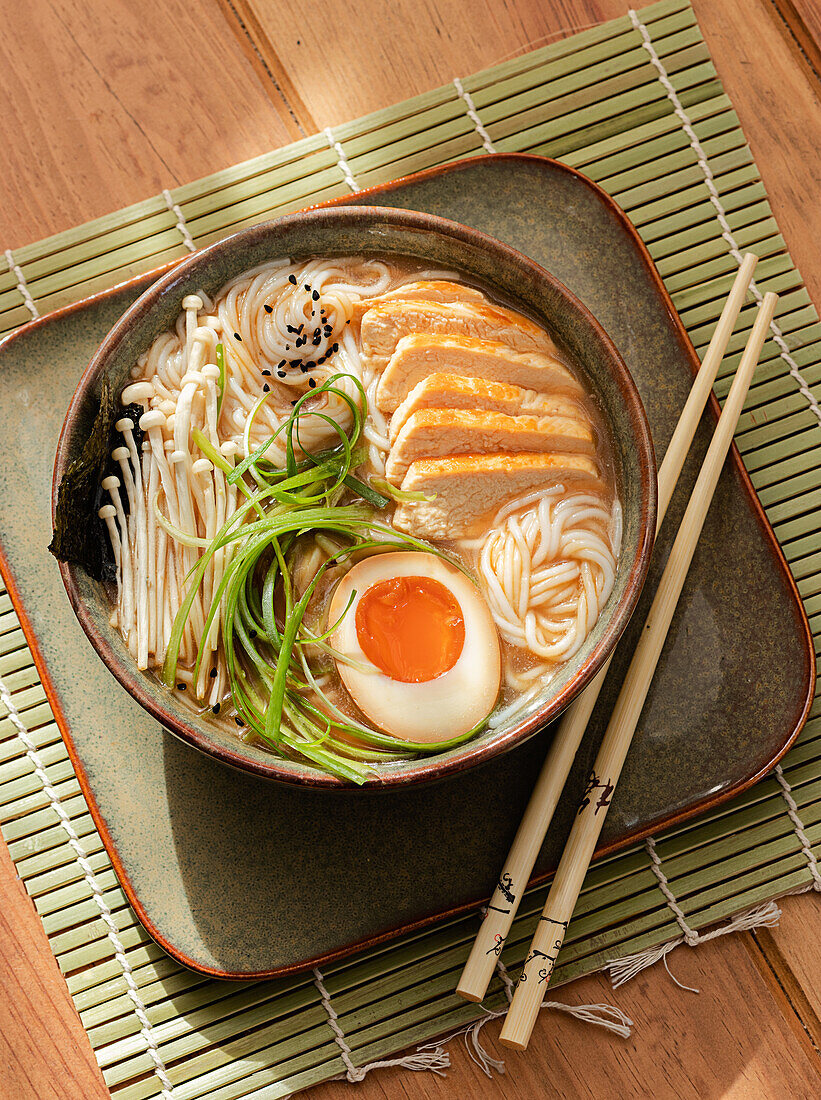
(411, 629)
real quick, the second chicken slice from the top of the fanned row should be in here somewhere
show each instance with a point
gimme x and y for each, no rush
(386, 325)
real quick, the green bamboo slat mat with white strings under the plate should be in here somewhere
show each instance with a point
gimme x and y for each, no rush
(637, 105)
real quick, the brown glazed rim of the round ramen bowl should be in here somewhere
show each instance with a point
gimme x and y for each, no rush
(425, 768)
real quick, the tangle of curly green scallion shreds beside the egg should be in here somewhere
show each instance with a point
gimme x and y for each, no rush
(273, 657)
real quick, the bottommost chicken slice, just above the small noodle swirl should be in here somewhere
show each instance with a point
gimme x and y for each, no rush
(468, 490)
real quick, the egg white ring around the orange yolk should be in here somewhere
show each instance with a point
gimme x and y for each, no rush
(435, 710)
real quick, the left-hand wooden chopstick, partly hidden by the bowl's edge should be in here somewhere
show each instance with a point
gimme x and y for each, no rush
(517, 872)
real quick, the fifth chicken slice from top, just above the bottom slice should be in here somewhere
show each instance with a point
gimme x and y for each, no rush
(432, 434)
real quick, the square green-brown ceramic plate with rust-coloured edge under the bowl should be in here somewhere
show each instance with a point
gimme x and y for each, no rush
(238, 877)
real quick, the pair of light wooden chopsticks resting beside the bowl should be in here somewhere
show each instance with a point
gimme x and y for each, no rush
(588, 824)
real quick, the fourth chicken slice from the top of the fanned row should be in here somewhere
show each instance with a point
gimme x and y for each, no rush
(455, 392)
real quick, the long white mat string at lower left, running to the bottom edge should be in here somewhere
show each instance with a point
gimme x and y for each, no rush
(97, 893)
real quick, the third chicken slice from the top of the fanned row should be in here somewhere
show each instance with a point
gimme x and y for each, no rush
(417, 357)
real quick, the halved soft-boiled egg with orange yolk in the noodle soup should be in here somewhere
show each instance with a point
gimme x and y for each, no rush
(428, 665)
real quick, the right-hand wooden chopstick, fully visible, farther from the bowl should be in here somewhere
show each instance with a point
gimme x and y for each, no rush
(587, 828)
